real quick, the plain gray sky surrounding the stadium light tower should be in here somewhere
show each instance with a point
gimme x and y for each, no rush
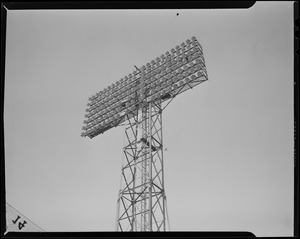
(229, 164)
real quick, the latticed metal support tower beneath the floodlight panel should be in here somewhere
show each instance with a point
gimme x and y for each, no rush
(142, 199)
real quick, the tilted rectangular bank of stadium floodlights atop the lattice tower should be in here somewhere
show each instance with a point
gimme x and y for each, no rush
(163, 78)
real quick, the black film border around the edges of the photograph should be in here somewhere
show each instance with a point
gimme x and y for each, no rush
(141, 5)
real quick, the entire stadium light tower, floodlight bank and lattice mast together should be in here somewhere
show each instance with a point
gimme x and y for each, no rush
(138, 101)
